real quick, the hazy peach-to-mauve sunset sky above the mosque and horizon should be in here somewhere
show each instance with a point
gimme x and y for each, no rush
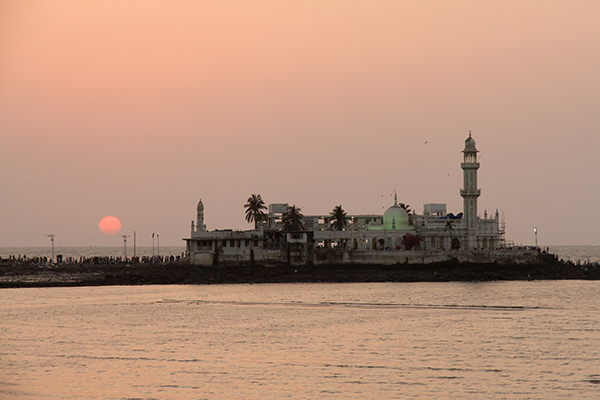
(138, 109)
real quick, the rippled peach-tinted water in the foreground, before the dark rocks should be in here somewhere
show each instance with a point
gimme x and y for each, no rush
(535, 340)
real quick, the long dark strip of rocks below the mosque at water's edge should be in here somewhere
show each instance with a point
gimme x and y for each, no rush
(14, 276)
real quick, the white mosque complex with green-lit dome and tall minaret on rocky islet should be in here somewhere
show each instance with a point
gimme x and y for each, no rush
(396, 236)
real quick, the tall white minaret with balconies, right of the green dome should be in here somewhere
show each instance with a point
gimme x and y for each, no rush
(470, 193)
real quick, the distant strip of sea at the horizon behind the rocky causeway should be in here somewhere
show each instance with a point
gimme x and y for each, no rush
(570, 253)
